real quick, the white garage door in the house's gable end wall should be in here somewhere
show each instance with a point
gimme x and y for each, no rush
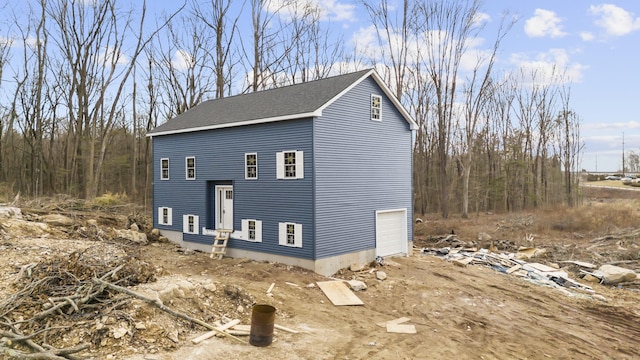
(391, 232)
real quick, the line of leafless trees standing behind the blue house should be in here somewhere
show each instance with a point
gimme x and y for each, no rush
(82, 82)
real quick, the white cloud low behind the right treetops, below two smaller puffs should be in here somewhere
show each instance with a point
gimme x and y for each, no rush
(553, 66)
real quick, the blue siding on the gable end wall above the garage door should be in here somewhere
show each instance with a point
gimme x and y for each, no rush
(360, 166)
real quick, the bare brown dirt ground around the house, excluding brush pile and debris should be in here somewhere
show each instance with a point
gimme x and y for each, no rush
(459, 312)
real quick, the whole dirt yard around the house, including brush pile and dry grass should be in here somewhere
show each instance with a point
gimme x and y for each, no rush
(53, 272)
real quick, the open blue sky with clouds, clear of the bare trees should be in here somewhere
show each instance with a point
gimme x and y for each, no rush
(596, 42)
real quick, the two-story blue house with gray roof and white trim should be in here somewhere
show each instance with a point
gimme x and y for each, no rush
(316, 174)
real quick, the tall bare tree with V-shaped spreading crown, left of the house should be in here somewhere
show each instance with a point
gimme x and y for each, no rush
(91, 38)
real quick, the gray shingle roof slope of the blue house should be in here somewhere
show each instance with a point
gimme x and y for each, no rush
(279, 103)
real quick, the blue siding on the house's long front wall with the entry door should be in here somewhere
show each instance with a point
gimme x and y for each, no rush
(220, 160)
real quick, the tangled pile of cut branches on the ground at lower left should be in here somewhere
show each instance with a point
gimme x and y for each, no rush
(64, 289)
